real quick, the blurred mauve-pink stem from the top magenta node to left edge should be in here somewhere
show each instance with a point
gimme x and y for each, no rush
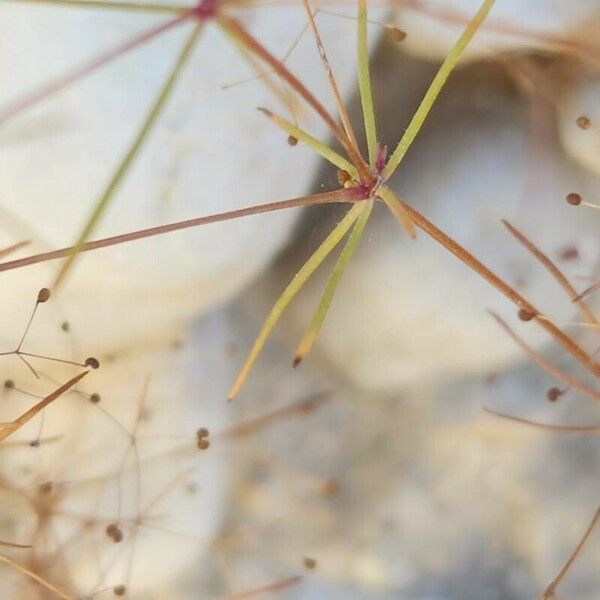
(32, 98)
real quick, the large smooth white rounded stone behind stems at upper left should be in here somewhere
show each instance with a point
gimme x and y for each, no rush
(211, 152)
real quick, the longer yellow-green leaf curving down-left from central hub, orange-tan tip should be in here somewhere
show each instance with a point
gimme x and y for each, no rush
(301, 277)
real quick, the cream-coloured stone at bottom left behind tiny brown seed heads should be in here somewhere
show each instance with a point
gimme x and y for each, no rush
(129, 458)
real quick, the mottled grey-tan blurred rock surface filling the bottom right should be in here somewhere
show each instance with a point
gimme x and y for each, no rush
(408, 495)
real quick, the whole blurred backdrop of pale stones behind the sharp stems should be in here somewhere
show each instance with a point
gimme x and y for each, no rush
(371, 471)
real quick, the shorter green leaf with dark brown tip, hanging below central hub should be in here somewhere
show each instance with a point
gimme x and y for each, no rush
(349, 248)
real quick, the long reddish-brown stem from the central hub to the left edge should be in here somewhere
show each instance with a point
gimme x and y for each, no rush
(337, 196)
